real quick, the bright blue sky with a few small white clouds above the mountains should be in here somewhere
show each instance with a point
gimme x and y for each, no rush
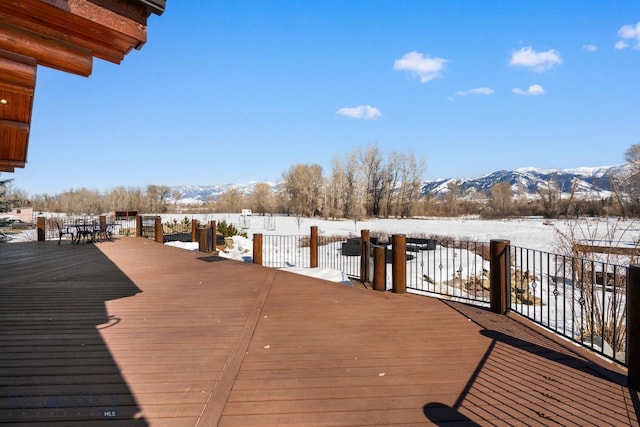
(239, 91)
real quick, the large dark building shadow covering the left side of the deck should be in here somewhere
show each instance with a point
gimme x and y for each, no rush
(54, 363)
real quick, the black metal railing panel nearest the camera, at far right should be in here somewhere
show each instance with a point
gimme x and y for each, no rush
(580, 299)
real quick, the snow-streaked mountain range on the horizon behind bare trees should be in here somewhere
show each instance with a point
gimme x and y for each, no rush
(590, 182)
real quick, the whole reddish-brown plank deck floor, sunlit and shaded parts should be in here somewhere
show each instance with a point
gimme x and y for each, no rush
(136, 333)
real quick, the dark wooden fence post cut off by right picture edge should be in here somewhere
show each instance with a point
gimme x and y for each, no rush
(633, 327)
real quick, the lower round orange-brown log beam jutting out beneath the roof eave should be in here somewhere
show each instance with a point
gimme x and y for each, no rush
(48, 52)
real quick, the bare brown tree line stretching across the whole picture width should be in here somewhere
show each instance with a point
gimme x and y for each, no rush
(362, 183)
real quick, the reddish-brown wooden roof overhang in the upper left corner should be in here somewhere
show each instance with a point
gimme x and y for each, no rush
(65, 35)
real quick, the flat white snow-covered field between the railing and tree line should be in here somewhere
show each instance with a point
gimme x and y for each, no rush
(531, 233)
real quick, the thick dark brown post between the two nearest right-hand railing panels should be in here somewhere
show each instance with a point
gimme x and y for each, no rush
(499, 275)
